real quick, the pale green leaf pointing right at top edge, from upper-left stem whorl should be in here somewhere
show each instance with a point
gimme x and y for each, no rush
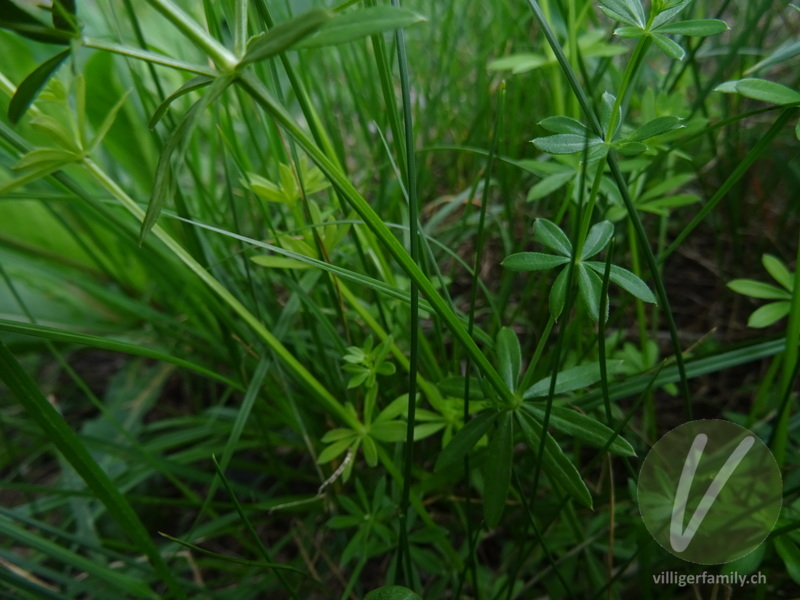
(362, 23)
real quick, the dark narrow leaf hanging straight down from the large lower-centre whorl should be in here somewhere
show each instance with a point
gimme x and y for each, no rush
(497, 470)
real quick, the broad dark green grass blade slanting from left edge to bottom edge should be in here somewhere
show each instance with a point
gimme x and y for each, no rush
(66, 441)
